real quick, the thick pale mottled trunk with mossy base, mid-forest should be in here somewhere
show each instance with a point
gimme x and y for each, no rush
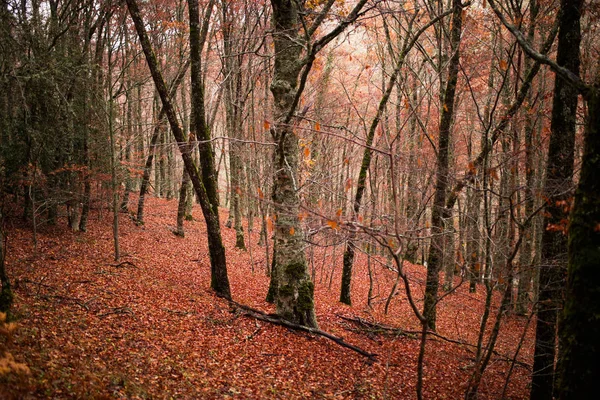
(294, 288)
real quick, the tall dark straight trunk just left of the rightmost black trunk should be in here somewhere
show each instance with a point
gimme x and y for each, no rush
(557, 191)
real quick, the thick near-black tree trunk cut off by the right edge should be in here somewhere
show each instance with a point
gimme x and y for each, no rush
(578, 368)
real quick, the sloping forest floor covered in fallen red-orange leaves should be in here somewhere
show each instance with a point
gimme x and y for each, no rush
(152, 328)
